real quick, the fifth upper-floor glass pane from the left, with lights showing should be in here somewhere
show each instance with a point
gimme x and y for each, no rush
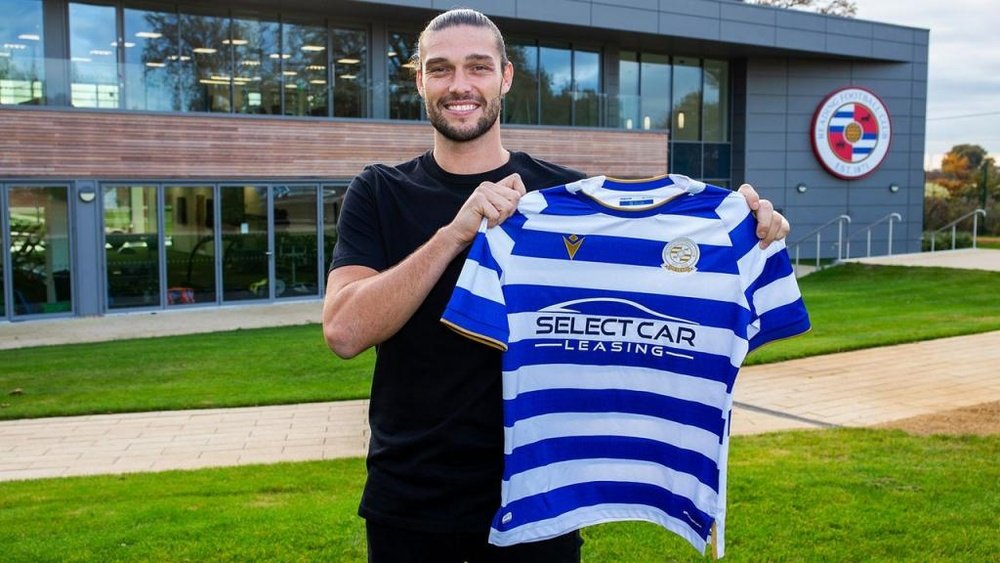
(257, 66)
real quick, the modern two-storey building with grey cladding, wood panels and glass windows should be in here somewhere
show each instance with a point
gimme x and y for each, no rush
(163, 155)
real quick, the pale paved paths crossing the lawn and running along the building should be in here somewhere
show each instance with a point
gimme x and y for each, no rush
(851, 389)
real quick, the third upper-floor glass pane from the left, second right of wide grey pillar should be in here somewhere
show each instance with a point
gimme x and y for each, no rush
(153, 64)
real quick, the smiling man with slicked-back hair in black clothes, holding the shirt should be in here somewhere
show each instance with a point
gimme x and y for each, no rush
(435, 459)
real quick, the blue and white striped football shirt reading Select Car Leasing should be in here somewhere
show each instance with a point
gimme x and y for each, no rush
(625, 310)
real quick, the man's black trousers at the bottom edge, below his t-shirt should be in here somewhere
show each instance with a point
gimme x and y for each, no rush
(387, 544)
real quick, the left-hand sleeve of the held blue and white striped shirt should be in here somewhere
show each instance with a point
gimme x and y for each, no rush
(477, 308)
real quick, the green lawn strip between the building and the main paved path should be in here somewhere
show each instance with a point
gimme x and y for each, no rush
(852, 306)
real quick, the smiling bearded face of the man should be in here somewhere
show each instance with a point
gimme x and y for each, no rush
(462, 81)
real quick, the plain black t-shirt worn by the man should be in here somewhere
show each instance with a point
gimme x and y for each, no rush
(436, 453)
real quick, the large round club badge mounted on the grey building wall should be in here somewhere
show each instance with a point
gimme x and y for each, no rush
(851, 132)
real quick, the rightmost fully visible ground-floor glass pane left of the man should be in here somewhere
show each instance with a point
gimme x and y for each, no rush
(296, 262)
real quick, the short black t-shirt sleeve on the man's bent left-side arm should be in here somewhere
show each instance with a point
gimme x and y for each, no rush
(359, 236)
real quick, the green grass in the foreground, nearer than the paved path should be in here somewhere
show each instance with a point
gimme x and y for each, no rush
(832, 495)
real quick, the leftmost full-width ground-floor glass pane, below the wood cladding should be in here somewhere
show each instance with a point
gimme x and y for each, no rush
(40, 250)
